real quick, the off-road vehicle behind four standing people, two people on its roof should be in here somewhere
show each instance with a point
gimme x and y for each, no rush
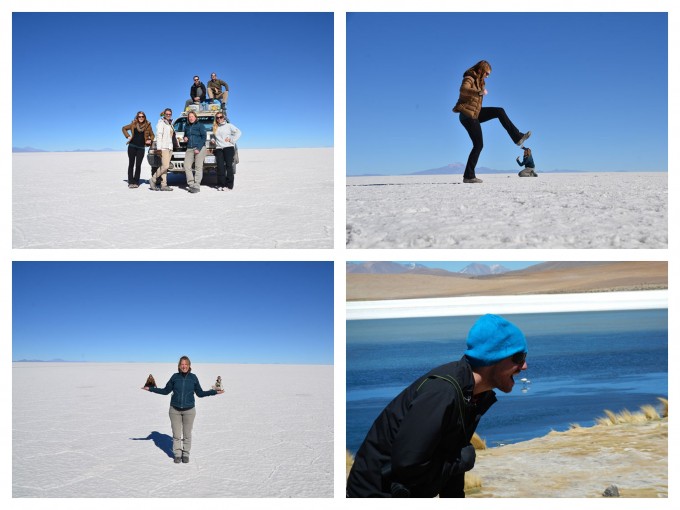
(205, 117)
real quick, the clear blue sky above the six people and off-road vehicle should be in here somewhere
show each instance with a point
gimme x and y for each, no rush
(94, 71)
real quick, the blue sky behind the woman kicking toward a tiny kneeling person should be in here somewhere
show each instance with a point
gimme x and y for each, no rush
(592, 87)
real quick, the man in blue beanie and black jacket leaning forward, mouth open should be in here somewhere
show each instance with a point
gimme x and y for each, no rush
(419, 446)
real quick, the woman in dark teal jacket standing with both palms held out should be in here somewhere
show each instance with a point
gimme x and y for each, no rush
(183, 385)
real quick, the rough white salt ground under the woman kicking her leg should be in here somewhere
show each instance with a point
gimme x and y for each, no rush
(570, 210)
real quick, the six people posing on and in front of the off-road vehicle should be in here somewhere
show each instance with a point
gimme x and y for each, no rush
(140, 135)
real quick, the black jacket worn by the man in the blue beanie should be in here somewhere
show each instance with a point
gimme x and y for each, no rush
(416, 441)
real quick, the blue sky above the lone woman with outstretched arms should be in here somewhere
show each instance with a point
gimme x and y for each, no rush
(219, 312)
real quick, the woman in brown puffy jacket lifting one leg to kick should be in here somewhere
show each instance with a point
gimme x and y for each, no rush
(472, 114)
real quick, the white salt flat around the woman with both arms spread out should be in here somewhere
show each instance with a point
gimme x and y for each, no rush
(88, 430)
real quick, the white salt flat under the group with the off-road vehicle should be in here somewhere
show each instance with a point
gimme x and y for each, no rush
(282, 198)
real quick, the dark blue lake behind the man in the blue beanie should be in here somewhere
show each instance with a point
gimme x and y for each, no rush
(579, 364)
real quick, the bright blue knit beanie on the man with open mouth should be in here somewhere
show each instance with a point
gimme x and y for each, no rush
(492, 339)
